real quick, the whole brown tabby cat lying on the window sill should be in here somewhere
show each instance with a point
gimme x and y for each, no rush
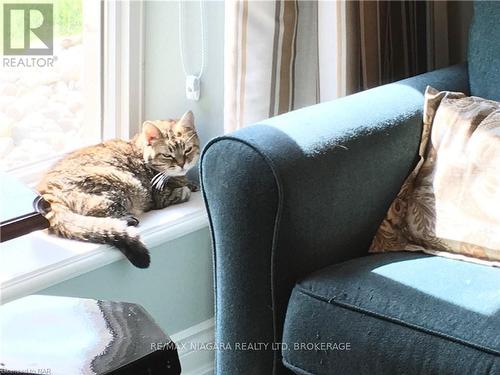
(96, 192)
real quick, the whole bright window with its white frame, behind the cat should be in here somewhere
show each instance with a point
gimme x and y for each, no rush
(80, 93)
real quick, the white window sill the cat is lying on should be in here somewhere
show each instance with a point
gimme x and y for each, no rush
(36, 261)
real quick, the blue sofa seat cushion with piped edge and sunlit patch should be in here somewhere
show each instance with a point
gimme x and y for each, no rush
(395, 313)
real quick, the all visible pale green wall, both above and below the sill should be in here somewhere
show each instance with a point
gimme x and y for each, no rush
(177, 289)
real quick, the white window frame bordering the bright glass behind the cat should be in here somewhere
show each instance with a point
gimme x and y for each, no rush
(122, 78)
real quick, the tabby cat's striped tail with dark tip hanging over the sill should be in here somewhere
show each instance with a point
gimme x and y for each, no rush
(103, 230)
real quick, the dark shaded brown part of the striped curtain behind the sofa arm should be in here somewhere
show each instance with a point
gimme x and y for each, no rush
(392, 40)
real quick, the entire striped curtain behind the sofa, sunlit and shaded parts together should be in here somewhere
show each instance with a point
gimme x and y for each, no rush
(282, 55)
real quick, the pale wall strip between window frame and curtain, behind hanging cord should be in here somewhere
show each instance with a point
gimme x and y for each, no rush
(164, 80)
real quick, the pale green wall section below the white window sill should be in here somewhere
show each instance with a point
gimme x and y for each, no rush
(176, 289)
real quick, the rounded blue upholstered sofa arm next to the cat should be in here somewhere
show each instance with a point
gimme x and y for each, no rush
(298, 192)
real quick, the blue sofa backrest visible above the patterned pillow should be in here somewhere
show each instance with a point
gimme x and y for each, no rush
(484, 50)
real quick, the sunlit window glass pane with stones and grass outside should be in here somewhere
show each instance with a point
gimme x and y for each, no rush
(49, 100)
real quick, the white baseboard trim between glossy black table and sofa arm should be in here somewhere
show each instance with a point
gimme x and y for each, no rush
(191, 344)
